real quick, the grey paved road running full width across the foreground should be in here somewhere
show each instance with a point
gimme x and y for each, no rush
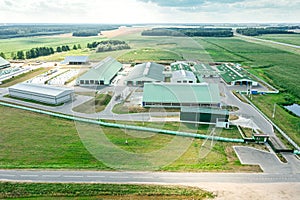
(144, 177)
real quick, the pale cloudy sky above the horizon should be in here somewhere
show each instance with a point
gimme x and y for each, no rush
(149, 11)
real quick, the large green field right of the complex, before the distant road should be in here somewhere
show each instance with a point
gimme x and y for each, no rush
(279, 66)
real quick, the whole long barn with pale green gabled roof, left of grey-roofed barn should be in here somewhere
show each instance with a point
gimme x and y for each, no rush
(101, 74)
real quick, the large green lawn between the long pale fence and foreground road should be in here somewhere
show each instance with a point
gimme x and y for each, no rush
(40, 141)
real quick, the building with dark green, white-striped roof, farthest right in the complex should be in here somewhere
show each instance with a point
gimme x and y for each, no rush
(235, 75)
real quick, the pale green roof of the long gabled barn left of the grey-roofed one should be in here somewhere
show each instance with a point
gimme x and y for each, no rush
(104, 70)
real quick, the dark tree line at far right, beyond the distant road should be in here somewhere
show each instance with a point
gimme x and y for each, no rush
(267, 30)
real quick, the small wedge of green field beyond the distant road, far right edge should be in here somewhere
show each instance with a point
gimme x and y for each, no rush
(284, 38)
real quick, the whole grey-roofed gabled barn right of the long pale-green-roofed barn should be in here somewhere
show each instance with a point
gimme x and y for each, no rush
(145, 73)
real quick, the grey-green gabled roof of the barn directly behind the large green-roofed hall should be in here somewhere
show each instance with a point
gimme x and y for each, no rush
(147, 71)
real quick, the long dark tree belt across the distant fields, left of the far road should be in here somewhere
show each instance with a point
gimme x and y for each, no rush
(189, 32)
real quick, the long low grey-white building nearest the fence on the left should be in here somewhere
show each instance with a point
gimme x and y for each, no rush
(41, 93)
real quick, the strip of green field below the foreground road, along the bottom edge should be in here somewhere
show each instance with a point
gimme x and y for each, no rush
(98, 191)
